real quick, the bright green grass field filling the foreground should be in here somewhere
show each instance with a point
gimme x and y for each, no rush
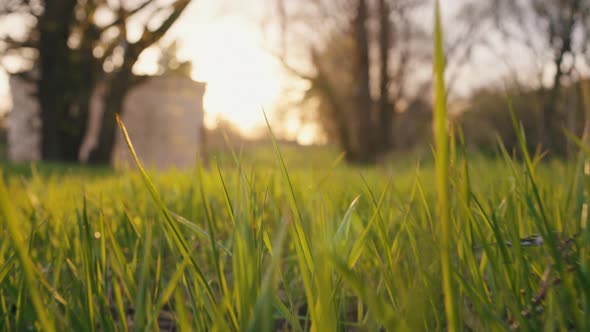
(250, 246)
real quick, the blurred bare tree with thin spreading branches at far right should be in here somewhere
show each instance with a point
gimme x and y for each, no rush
(556, 33)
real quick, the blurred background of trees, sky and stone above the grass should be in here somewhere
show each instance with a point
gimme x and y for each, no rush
(354, 75)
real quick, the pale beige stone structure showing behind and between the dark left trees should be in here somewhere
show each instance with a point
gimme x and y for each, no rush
(163, 114)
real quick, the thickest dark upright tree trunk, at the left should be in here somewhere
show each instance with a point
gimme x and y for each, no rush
(66, 82)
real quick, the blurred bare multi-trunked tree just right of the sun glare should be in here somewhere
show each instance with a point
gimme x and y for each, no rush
(338, 37)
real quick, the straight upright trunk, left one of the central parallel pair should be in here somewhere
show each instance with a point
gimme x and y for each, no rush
(361, 121)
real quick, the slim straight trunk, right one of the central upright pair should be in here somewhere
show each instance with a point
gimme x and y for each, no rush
(385, 107)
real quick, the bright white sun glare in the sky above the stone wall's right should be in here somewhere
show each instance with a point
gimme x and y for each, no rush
(242, 79)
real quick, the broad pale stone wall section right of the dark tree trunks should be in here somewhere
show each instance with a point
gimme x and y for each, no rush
(164, 118)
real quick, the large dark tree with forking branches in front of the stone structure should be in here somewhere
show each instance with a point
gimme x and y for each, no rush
(75, 51)
